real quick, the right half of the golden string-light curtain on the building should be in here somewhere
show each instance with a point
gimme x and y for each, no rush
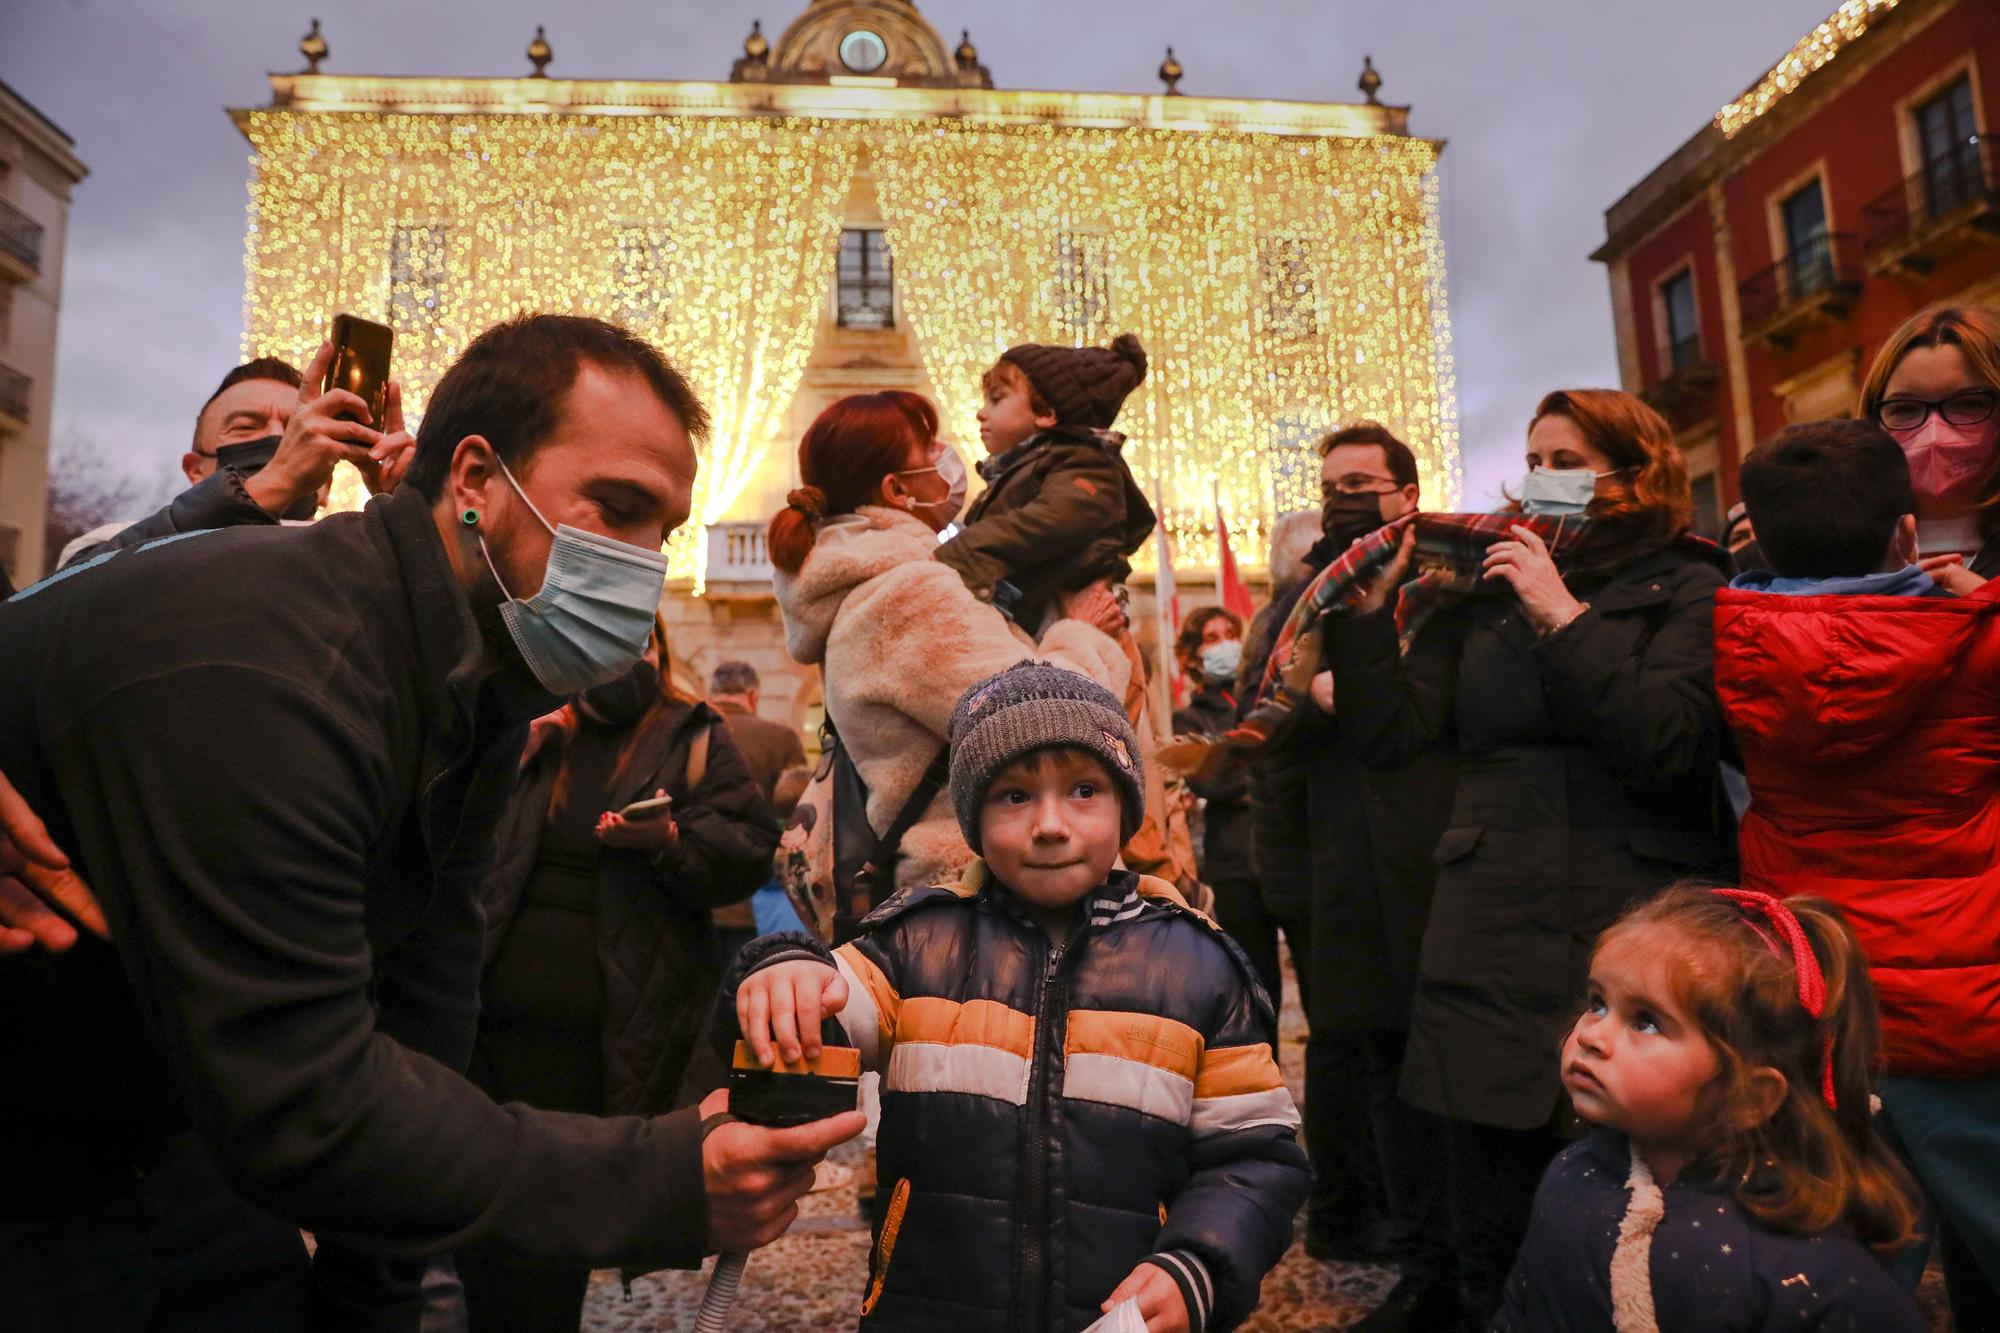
(1281, 285)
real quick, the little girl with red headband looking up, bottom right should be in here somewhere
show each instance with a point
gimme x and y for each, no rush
(1733, 1178)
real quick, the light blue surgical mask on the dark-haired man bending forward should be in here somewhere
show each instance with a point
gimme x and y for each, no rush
(595, 613)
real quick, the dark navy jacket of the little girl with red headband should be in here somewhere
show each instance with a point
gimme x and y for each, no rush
(1715, 1268)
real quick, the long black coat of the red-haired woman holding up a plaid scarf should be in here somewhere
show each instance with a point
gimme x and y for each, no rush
(1587, 780)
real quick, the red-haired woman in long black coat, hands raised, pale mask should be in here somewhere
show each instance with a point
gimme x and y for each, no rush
(1579, 704)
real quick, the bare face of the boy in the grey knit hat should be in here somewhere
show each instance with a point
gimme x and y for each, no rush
(1049, 828)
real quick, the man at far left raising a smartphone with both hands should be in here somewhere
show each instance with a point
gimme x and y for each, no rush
(265, 449)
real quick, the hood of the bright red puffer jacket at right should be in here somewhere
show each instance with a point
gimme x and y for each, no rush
(1837, 676)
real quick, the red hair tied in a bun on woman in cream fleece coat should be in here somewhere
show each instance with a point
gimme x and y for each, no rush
(843, 459)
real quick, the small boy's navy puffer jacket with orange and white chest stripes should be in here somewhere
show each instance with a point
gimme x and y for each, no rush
(1057, 1116)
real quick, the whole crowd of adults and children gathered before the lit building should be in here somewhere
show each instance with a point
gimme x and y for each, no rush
(385, 878)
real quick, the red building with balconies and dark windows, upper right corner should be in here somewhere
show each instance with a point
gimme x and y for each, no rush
(1761, 265)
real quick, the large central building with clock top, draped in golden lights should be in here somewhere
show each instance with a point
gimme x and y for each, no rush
(859, 207)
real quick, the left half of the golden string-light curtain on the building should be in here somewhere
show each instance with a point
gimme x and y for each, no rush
(713, 239)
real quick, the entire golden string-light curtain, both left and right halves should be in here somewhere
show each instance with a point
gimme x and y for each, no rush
(1281, 283)
